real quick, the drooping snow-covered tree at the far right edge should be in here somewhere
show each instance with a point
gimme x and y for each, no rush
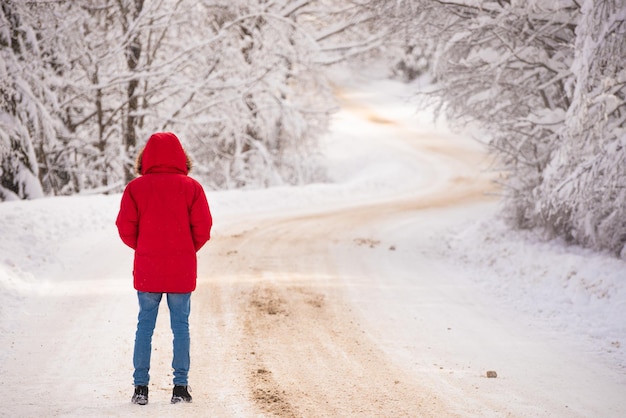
(583, 193)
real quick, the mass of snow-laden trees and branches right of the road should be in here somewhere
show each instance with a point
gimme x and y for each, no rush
(546, 80)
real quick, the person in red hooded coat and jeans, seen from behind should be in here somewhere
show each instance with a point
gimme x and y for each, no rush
(164, 216)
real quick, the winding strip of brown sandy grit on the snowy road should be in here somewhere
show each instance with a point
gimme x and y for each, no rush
(294, 339)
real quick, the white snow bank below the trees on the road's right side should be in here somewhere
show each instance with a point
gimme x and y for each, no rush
(575, 291)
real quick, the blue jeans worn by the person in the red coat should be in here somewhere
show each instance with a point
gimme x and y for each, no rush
(180, 306)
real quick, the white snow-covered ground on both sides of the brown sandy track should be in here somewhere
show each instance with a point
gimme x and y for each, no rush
(443, 288)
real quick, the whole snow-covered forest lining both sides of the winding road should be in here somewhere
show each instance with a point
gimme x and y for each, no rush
(245, 85)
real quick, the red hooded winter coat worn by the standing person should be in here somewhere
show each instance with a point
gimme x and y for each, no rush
(164, 216)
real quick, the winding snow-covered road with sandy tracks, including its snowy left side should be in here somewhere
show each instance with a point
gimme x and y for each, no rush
(329, 300)
